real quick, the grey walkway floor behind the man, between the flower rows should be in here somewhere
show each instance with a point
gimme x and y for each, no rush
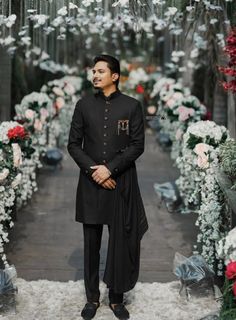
(47, 243)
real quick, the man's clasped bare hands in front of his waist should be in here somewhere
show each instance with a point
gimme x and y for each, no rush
(102, 176)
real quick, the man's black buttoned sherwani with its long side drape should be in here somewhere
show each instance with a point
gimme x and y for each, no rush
(110, 131)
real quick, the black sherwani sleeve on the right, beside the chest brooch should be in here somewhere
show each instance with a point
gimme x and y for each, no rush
(136, 146)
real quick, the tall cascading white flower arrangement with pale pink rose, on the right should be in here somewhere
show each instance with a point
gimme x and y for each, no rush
(198, 185)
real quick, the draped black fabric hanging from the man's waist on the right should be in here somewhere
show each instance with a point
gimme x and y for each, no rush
(127, 229)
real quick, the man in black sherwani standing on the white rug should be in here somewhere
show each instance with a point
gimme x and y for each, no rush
(105, 139)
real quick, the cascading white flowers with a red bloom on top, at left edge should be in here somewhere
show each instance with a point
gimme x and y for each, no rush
(15, 145)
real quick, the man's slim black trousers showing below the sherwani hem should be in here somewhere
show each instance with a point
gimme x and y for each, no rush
(92, 245)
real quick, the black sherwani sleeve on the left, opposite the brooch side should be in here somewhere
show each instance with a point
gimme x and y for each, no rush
(76, 136)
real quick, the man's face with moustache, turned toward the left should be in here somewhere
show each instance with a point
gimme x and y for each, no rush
(102, 76)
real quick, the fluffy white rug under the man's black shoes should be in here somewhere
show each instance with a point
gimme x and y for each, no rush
(51, 300)
